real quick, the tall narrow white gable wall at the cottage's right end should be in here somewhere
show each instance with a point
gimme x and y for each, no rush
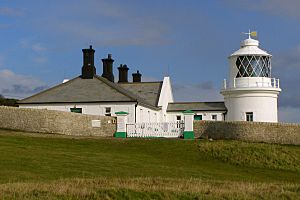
(165, 97)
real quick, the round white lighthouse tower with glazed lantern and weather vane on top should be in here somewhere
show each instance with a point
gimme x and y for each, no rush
(251, 93)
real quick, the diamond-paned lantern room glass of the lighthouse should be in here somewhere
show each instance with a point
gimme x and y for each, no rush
(253, 66)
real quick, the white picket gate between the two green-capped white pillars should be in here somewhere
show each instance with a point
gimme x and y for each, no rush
(163, 129)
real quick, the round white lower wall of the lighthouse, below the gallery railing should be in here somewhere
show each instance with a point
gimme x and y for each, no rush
(263, 104)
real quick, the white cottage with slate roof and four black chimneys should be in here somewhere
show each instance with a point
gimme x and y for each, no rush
(92, 94)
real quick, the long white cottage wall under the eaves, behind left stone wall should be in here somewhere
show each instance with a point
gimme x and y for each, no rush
(89, 108)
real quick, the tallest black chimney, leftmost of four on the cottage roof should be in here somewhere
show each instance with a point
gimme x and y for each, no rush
(88, 69)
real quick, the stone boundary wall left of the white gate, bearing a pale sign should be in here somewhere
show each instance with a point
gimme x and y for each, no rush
(50, 121)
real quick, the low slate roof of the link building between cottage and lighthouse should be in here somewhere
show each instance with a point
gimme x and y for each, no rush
(196, 106)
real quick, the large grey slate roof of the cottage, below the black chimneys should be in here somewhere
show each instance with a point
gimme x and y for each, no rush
(98, 89)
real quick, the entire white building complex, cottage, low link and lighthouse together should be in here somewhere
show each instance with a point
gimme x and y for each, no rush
(250, 94)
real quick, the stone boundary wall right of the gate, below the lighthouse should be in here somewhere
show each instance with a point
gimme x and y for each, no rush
(280, 133)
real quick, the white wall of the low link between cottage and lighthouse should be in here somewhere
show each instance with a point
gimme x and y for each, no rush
(172, 116)
